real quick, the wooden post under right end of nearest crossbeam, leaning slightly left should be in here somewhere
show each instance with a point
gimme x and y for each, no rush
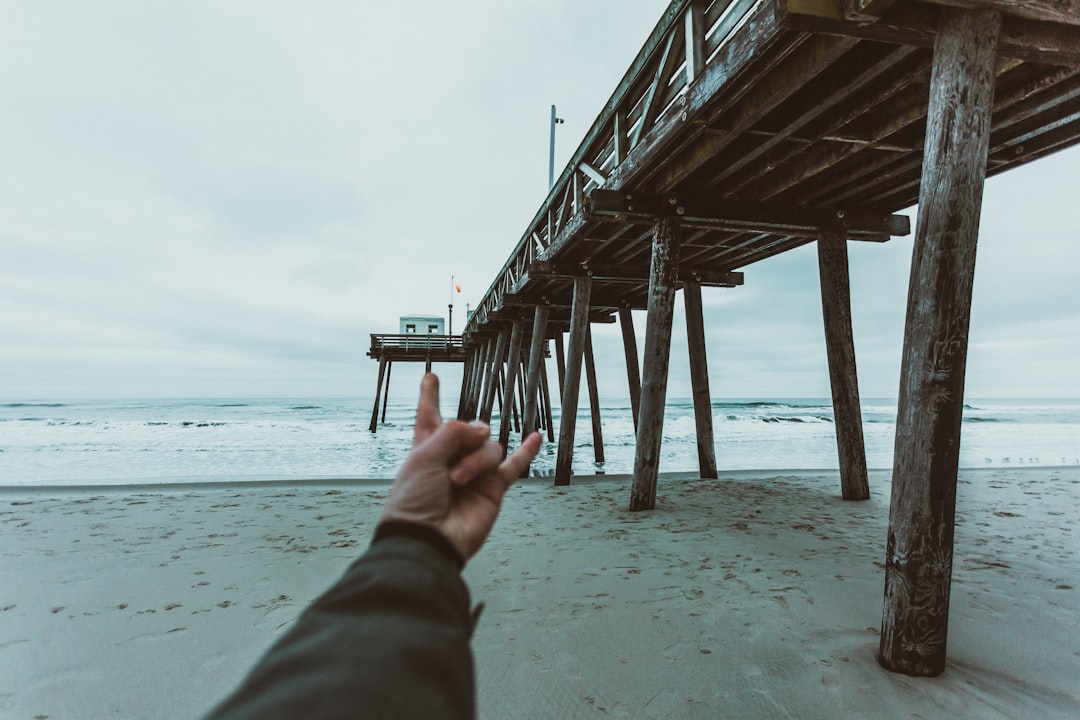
(841, 349)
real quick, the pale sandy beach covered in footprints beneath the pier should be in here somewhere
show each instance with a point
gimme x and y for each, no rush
(754, 596)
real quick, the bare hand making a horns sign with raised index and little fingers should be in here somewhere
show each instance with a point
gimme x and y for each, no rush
(455, 477)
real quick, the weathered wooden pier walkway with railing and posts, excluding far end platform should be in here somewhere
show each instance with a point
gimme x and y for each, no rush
(745, 129)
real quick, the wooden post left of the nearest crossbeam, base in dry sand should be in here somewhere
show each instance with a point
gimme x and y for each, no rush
(667, 237)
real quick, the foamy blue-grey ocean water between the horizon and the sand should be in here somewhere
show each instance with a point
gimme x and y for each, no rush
(177, 441)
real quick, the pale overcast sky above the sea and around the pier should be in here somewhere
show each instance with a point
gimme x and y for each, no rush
(225, 199)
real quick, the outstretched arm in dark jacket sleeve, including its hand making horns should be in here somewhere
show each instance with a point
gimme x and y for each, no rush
(391, 639)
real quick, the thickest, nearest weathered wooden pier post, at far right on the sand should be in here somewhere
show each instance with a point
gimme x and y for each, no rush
(922, 514)
